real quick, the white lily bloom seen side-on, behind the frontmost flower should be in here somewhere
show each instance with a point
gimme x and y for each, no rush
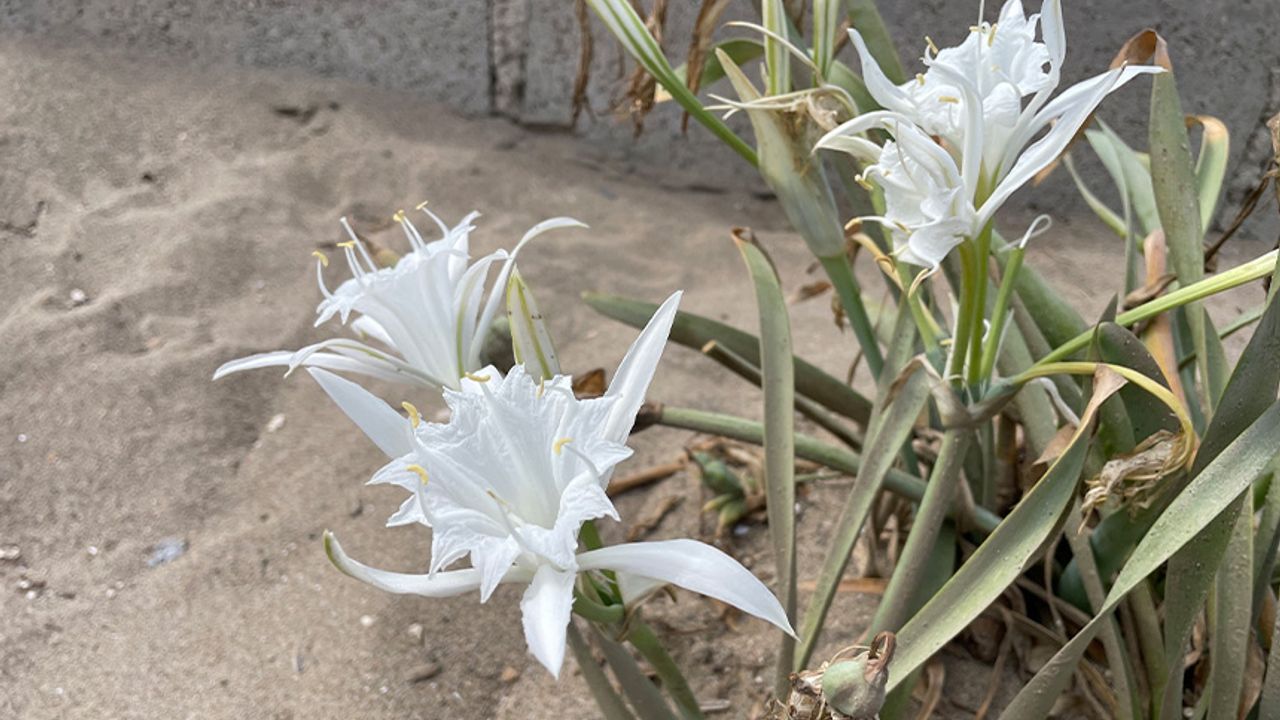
(428, 313)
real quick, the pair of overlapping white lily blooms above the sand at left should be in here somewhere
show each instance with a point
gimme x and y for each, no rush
(523, 463)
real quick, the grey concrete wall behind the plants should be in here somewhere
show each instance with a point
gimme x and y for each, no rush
(519, 58)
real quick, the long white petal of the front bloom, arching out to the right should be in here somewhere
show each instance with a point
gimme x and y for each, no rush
(693, 566)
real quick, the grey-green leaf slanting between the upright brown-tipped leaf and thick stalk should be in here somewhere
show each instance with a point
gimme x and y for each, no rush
(899, 404)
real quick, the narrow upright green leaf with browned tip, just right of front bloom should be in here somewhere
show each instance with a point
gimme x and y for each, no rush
(780, 459)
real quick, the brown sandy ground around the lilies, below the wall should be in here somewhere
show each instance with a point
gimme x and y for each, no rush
(157, 222)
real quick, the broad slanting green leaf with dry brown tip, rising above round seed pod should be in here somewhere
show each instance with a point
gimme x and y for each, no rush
(1003, 557)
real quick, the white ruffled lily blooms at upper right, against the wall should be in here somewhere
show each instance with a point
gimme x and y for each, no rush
(970, 104)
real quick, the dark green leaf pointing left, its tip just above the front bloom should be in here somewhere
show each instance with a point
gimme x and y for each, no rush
(694, 331)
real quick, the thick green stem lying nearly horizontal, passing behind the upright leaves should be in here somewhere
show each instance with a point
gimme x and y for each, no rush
(815, 450)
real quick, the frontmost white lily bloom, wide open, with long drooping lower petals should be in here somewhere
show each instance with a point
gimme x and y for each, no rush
(509, 484)
